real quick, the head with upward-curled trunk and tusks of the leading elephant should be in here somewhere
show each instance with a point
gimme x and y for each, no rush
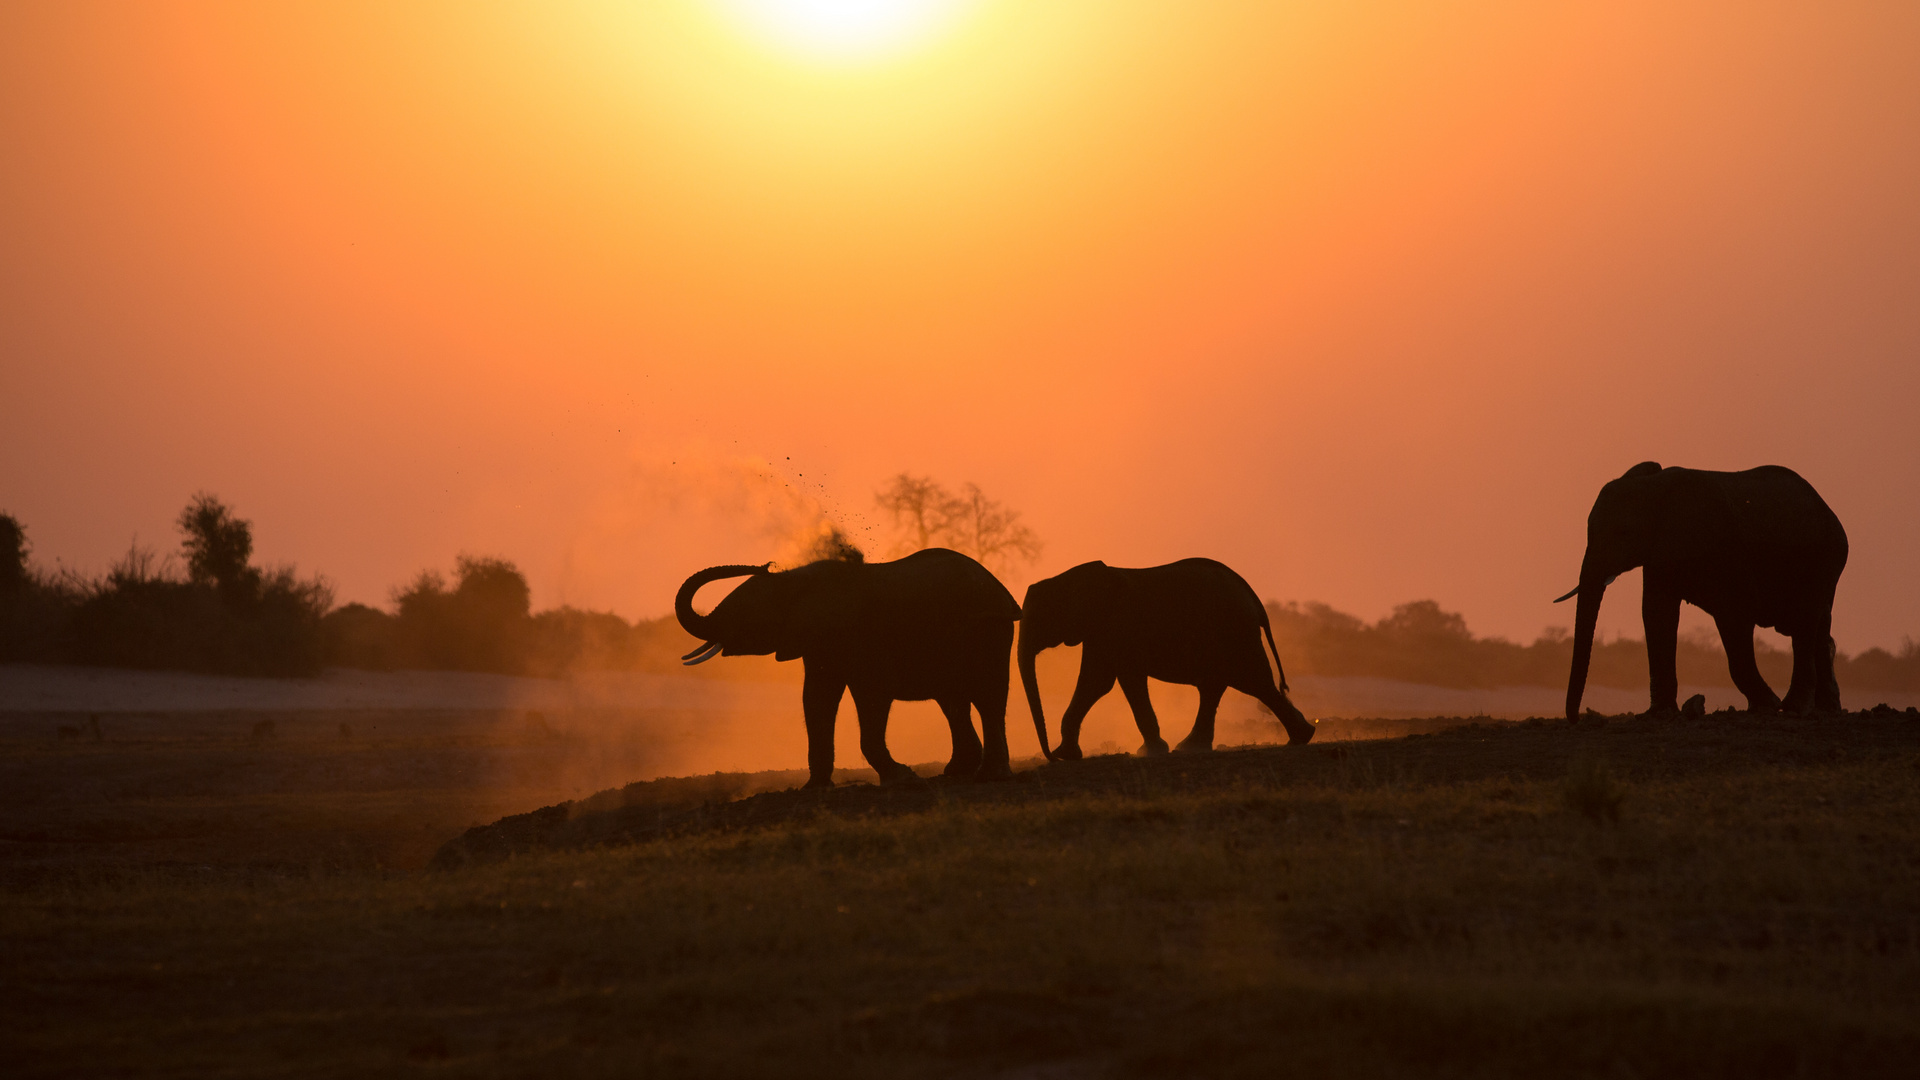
(786, 614)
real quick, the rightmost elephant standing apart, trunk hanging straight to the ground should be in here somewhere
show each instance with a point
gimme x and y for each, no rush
(1756, 549)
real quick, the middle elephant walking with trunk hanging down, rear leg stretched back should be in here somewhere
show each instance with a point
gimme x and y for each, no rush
(1193, 622)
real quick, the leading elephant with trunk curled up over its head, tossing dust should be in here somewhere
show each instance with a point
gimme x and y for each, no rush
(934, 626)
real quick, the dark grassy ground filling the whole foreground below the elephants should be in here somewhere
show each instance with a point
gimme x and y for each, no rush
(1727, 896)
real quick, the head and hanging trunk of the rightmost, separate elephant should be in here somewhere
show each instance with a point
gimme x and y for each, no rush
(1646, 518)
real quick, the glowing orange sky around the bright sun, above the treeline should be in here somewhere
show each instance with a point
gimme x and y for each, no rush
(1364, 299)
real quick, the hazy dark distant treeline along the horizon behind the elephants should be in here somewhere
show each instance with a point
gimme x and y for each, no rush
(226, 616)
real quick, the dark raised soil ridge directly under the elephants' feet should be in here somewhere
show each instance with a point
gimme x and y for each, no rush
(1460, 750)
